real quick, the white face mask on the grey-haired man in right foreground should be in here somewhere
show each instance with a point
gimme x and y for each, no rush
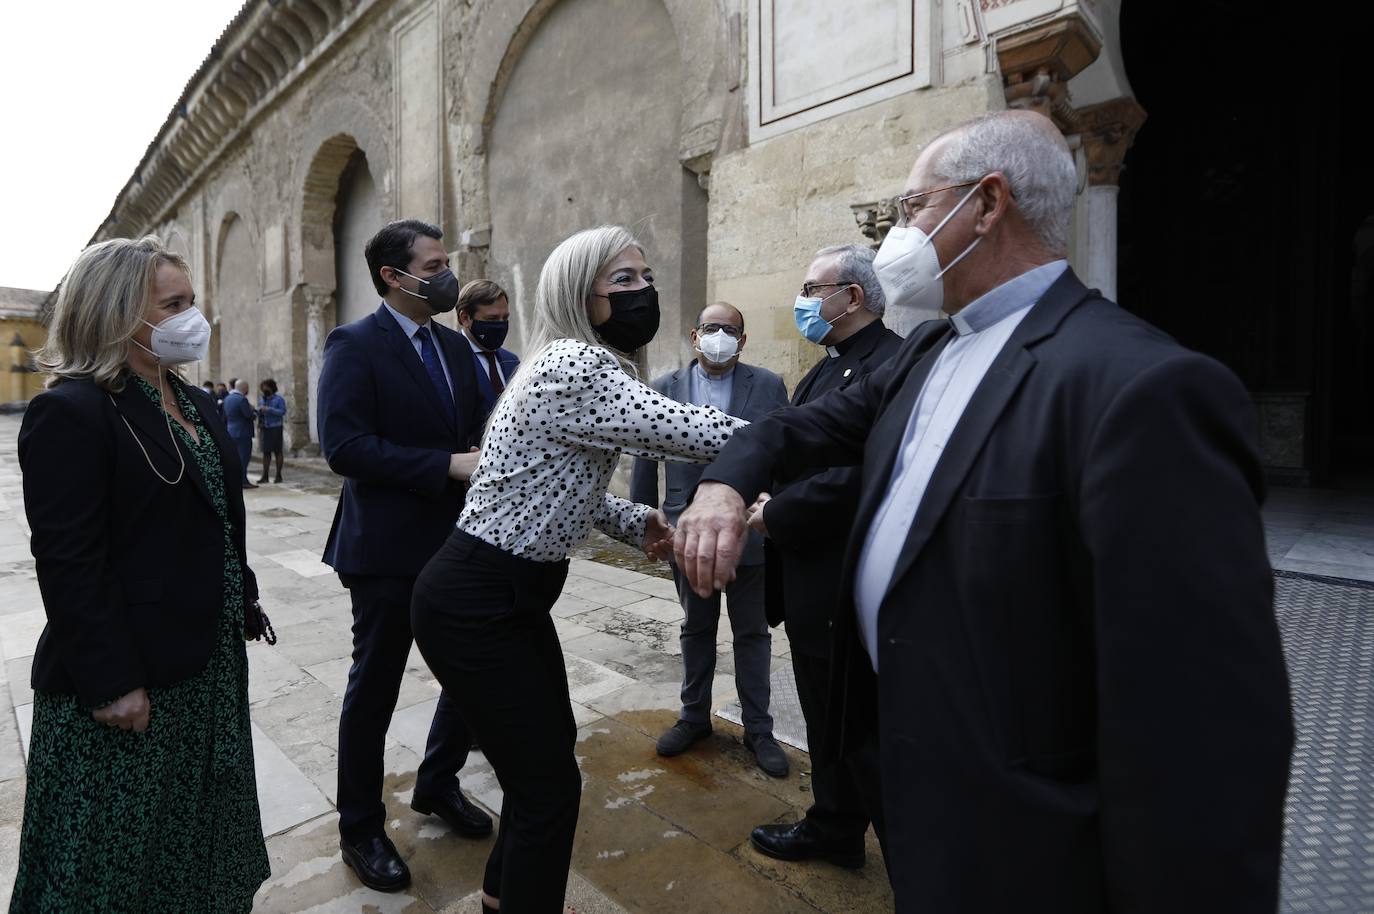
(909, 271)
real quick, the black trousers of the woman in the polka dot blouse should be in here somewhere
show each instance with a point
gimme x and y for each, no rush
(482, 622)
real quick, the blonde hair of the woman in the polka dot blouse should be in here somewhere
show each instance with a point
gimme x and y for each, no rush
(567, 285)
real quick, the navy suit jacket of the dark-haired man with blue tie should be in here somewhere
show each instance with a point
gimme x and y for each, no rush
(384, 430)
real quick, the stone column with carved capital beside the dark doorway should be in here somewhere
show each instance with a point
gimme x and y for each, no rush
(1107, 133)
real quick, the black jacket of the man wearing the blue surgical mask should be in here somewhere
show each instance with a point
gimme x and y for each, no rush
(809, 515)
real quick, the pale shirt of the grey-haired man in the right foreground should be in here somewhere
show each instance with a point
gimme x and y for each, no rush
(982, 331)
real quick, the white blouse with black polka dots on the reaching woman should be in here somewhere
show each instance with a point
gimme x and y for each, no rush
(554, 442)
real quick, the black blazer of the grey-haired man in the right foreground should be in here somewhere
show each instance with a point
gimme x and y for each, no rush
(1082, 698)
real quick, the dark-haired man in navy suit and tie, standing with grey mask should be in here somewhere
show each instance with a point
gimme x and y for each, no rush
(398, 414)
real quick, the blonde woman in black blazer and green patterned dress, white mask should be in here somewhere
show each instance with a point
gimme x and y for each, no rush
(141, 788)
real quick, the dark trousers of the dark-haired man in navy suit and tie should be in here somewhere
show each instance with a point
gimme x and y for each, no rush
(381, 647)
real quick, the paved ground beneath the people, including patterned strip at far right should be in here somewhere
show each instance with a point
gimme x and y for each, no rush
(662, 835)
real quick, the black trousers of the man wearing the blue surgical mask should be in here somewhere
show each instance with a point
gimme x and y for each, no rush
(843, 794)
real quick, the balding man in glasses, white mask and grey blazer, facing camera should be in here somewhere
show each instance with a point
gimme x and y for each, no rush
(717, 377)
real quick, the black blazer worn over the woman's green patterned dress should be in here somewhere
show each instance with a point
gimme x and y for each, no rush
(131, 568)
